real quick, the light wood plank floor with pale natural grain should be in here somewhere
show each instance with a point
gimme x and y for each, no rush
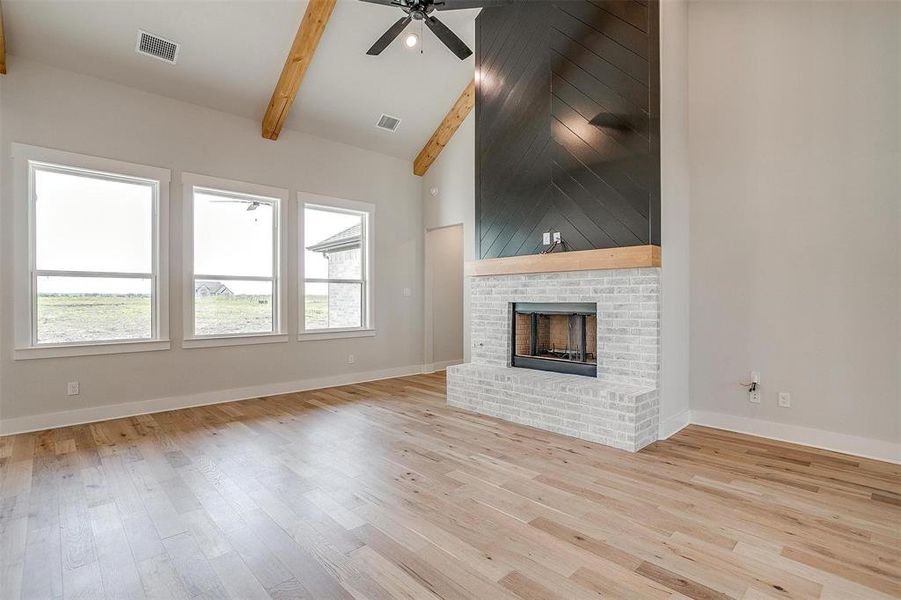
(380, 491)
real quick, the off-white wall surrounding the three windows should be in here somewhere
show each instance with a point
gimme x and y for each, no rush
(59, 109)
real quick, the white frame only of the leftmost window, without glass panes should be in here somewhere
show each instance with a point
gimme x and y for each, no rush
(25, 159)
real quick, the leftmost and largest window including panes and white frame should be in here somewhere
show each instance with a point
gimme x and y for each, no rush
(94, 281)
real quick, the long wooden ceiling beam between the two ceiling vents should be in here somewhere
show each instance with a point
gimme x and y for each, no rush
(305, 42)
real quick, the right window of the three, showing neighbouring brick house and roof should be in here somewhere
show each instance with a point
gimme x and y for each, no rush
(336, 243)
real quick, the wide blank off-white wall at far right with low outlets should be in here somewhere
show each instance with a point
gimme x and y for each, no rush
(795, 121)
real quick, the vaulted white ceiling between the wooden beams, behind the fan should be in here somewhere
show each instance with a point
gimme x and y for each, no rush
(232, 54)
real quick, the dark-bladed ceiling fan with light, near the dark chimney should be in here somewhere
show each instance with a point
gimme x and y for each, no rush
(421, 10)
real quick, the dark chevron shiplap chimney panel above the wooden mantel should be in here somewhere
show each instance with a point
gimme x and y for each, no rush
(567, 125)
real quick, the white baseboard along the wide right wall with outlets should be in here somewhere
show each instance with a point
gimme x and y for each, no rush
(817, 438)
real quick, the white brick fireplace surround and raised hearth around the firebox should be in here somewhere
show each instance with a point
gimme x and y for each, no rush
(619, 407)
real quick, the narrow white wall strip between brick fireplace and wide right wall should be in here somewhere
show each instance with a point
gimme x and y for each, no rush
(675, 214)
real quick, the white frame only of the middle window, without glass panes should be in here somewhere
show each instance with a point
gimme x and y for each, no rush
(279, 199)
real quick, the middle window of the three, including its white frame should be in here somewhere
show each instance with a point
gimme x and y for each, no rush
(235, 286)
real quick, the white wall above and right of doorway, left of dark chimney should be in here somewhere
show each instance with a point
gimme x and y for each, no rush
(453, 174)
